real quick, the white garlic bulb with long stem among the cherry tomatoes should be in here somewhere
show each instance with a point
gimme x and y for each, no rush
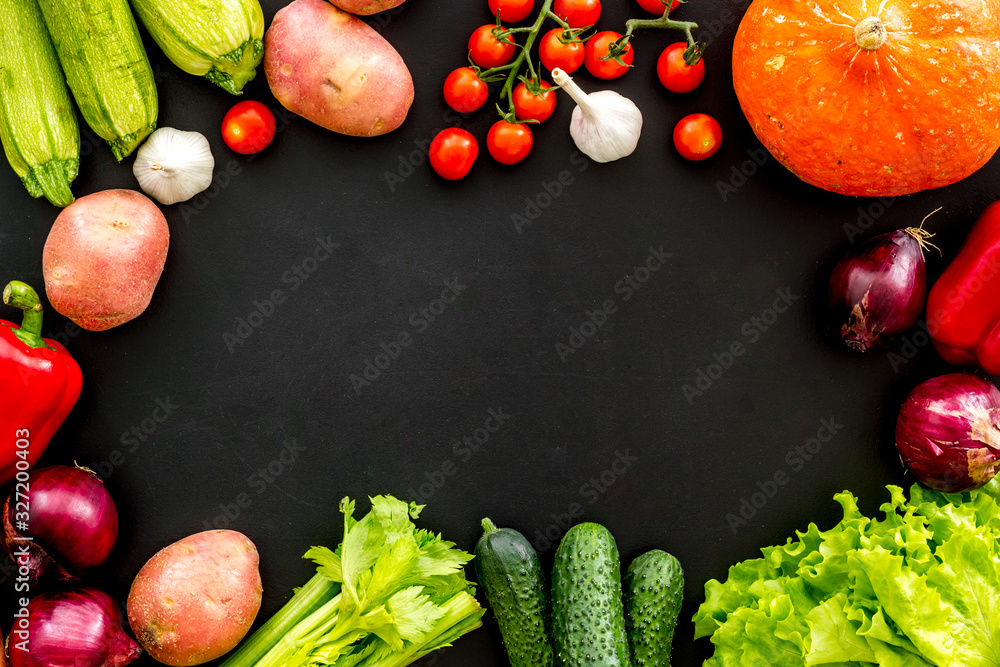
(605, 125)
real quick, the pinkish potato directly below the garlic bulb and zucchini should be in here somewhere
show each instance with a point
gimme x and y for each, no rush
(103, 258)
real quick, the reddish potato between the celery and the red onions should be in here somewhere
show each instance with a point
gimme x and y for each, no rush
(196, 599)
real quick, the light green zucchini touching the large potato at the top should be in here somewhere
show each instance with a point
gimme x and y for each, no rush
(221, 40)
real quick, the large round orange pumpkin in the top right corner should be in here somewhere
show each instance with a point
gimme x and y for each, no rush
(872, 97)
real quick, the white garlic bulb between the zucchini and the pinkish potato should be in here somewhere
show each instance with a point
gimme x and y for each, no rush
(173, 165)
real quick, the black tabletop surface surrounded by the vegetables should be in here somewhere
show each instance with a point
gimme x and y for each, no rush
(696, 461)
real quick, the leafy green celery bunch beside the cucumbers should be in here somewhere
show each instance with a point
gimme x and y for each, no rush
(402, 594)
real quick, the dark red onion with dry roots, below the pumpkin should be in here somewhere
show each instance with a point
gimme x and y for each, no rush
(878, 290)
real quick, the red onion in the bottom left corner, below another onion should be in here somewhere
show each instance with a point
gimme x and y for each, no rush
(81, 628)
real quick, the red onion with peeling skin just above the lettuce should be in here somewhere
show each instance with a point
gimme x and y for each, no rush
(948, 432)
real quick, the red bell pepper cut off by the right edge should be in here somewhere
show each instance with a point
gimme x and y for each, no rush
(963, 308)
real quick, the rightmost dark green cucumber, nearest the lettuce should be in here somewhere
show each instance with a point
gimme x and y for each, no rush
(654, 591)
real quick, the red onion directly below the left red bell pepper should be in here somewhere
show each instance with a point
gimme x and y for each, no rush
(71, 518)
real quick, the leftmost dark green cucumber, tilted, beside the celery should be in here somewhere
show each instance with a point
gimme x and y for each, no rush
(510, 573)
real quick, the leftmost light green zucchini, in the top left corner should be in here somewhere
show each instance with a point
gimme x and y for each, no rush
(37, 121)
